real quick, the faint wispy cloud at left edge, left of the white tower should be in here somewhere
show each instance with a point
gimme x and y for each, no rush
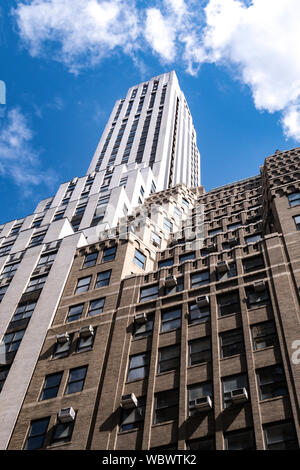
(18, 159)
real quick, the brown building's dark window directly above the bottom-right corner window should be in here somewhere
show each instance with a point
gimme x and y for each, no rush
(271, 382)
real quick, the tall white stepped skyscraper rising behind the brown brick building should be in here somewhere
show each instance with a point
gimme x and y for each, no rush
(148, 145)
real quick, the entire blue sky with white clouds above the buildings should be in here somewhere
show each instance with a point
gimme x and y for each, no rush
(65, 62)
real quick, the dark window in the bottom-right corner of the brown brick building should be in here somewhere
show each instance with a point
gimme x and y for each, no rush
(280, 436)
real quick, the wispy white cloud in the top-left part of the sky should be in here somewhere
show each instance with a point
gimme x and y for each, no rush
(86, 31)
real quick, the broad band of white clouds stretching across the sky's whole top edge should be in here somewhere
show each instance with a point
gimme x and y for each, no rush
(257, 39)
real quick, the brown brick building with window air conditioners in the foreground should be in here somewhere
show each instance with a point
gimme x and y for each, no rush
(179, 327)
